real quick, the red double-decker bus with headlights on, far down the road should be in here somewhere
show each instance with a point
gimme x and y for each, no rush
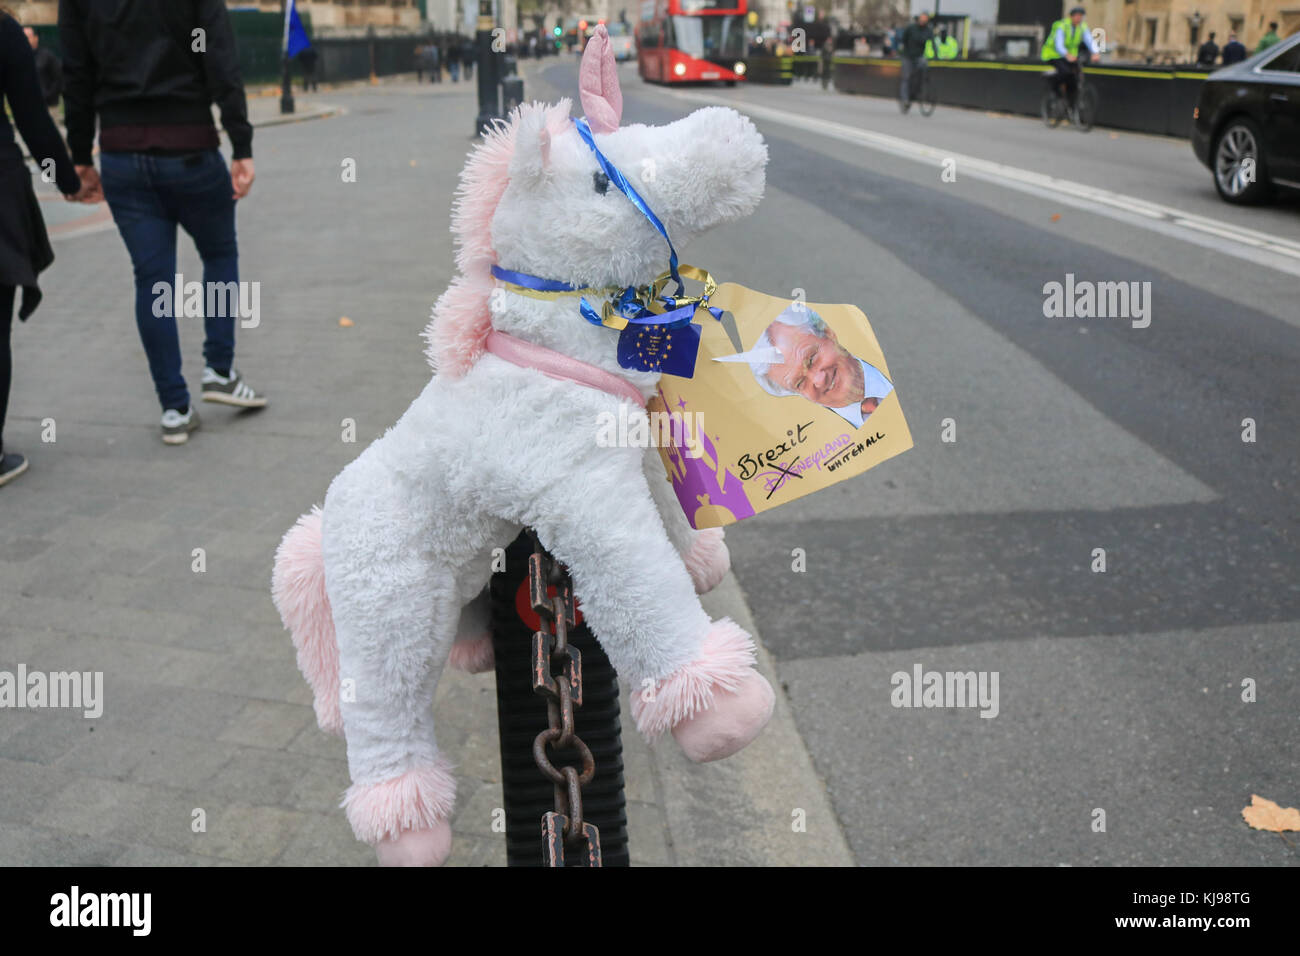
(692, 41)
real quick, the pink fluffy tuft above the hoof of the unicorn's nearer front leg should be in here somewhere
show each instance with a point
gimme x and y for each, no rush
(726, 656)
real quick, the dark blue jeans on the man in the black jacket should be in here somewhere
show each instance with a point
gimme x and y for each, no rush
(150, 196)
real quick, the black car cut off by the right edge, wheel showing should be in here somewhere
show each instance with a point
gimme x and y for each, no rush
(1249, 118)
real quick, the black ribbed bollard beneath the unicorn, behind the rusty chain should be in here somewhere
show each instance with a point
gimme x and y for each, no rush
(522, 716)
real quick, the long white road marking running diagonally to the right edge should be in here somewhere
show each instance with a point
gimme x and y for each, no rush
(1262, 249)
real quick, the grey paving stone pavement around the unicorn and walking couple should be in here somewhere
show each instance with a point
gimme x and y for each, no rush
(205, 710)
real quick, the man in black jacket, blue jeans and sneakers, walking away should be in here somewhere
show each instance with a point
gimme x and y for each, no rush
(151, 71)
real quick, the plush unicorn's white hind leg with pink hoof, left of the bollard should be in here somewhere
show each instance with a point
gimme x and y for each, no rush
(396, 613)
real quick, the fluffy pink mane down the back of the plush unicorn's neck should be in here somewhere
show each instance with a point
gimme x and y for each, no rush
(458, 331)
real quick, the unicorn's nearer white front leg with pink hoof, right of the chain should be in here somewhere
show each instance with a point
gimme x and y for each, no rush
(688, 676)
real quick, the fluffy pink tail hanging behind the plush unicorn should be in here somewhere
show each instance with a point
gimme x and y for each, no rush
(298, 590)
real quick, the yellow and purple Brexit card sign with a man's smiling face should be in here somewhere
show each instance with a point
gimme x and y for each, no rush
(788, 399)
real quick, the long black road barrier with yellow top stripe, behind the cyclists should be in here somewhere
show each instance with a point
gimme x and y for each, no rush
(1149, 100)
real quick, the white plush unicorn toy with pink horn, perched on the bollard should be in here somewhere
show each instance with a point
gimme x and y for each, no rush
(387, 585)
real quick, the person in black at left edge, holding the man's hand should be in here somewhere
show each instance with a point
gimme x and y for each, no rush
(25, 249)
